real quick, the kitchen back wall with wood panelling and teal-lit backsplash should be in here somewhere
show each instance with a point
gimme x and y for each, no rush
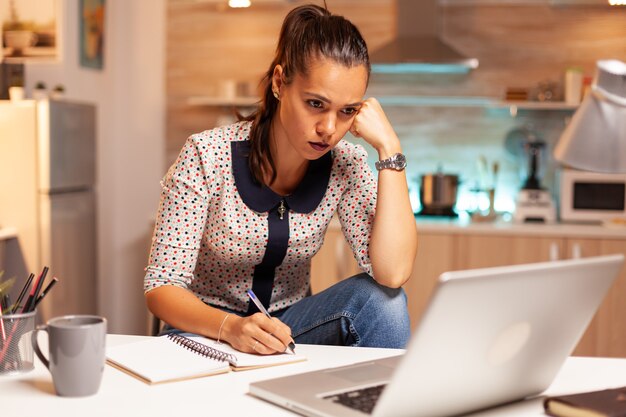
(519, 44)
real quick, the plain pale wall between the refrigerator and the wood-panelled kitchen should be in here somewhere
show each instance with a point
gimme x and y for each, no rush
(129, 94)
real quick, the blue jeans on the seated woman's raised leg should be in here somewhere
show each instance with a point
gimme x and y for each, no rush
(354, 312)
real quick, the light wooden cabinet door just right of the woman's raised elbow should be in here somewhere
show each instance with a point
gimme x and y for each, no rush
(435, 254)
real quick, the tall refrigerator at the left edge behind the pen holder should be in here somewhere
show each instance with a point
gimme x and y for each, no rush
(47, 193)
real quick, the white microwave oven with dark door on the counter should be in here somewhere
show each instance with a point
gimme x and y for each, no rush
(591, 197)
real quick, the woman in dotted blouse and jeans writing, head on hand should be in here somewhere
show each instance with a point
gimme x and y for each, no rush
(246, 206)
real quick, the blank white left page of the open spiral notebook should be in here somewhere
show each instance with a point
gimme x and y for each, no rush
(159, 359)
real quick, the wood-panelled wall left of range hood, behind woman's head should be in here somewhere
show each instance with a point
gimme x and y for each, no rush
(208, 45)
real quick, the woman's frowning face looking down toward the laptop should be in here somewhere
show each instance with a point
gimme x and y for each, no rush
(316, 110)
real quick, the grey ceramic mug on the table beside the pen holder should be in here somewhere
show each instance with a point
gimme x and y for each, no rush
(76, 346)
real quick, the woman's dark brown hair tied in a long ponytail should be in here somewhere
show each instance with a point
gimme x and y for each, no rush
(308, 32)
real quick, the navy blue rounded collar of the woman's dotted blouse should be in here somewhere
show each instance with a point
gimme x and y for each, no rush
(261, 198)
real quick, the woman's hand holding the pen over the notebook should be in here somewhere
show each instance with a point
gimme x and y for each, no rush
(257, 334)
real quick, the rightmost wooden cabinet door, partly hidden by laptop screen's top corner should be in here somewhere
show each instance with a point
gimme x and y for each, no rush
(606, 334)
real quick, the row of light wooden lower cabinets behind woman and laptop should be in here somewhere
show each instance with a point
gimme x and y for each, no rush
(459, 248)
